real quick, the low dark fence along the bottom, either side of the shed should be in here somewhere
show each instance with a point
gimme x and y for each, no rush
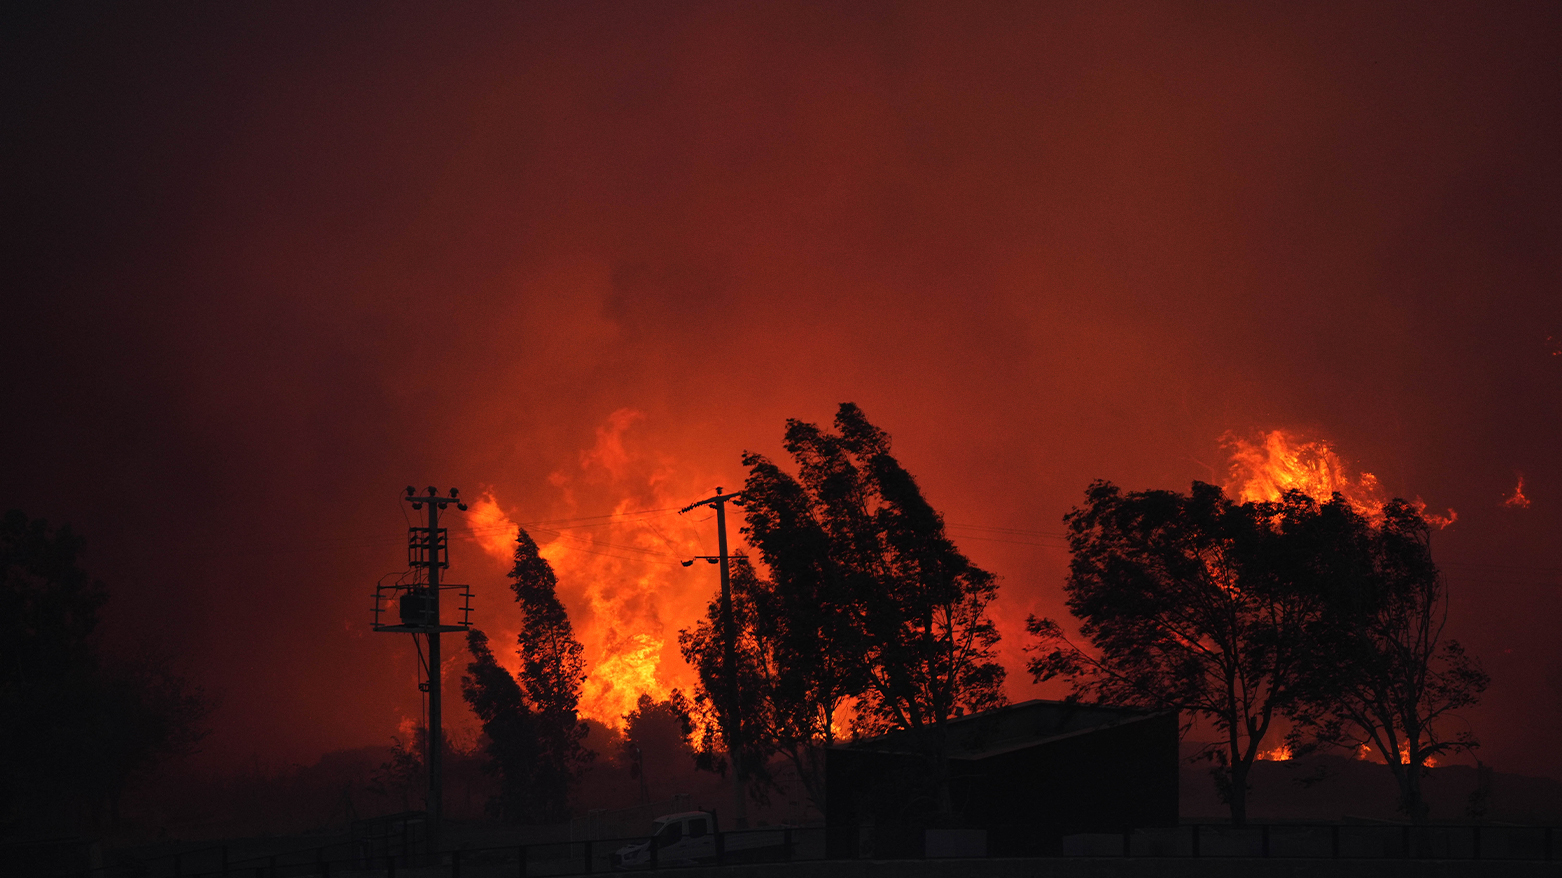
(1294, 841)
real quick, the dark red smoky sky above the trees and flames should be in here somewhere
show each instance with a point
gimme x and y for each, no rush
(268, 265)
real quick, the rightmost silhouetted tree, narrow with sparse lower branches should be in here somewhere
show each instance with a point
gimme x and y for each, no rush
(1386, 676)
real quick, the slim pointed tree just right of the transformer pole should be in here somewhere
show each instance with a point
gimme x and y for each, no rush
(532, 729)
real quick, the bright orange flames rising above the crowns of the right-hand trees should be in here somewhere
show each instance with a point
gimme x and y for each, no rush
(1278, 462)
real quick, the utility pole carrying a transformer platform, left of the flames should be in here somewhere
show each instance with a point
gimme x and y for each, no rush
(429, 549)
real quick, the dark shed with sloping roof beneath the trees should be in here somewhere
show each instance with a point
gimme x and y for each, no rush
(1025, 776)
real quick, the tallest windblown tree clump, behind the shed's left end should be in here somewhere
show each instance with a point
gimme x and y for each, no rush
(868, 604)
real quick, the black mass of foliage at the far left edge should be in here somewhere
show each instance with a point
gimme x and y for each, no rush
(77, 729)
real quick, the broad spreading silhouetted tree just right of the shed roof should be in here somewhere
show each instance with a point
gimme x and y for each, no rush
(1189, 602)
